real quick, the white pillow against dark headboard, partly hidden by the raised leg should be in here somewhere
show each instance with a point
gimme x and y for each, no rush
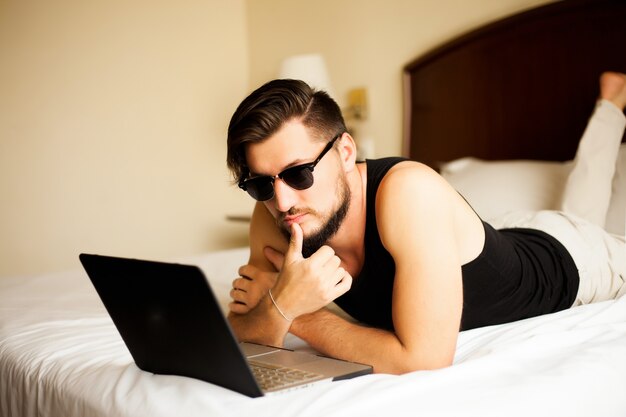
(494, 188)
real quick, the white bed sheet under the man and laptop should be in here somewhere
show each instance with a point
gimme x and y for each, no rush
(60, 355)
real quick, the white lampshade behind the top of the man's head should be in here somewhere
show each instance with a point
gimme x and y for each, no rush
(310, 68)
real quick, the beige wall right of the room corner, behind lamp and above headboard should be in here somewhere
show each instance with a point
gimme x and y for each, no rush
(365, 43)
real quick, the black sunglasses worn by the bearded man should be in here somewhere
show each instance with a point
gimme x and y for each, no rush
(299, 177)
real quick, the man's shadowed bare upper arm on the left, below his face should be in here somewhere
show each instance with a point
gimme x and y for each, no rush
(264, 232)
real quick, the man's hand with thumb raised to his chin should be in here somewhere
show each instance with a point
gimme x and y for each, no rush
(306, 285)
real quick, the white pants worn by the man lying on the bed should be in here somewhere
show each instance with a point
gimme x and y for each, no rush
(599, 256)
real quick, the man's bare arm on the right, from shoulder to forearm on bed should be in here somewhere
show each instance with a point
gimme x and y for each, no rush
(417, 215)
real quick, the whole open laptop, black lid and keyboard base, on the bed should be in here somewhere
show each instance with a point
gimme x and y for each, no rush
(172, 324)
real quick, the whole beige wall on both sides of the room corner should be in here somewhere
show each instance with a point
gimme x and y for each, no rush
(113, 113)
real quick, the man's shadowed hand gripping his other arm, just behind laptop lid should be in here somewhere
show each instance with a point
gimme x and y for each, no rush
(250, 288)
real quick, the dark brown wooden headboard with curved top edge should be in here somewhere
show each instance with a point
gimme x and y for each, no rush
(520, 88)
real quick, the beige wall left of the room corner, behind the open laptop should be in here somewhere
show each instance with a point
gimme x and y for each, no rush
(113, 116)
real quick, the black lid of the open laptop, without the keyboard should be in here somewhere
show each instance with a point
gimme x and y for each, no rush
(170, 320)
